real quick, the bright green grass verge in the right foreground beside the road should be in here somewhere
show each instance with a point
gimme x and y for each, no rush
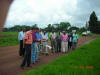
(87, 55)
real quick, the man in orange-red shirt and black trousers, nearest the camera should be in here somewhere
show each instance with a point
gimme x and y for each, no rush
(27, 42)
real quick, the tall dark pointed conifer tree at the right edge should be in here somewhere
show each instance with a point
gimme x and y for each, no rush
(93, 23)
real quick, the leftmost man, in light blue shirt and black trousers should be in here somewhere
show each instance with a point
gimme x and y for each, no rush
(21, 38)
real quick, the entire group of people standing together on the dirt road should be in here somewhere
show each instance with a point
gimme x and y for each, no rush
(34, 42)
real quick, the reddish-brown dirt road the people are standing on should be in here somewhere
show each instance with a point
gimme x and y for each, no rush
(10, 60)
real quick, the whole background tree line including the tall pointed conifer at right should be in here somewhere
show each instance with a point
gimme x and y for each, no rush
(93, 26)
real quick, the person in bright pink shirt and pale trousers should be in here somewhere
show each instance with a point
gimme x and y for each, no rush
(64, 39)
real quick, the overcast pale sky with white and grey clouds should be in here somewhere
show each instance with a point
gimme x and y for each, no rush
(44, 12)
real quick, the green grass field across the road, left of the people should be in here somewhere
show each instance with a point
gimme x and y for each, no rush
(9, 39)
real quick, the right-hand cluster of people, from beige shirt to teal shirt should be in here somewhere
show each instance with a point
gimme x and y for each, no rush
(62, 42)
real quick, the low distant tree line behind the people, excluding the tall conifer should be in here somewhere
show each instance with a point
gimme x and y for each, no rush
(62, 26)
